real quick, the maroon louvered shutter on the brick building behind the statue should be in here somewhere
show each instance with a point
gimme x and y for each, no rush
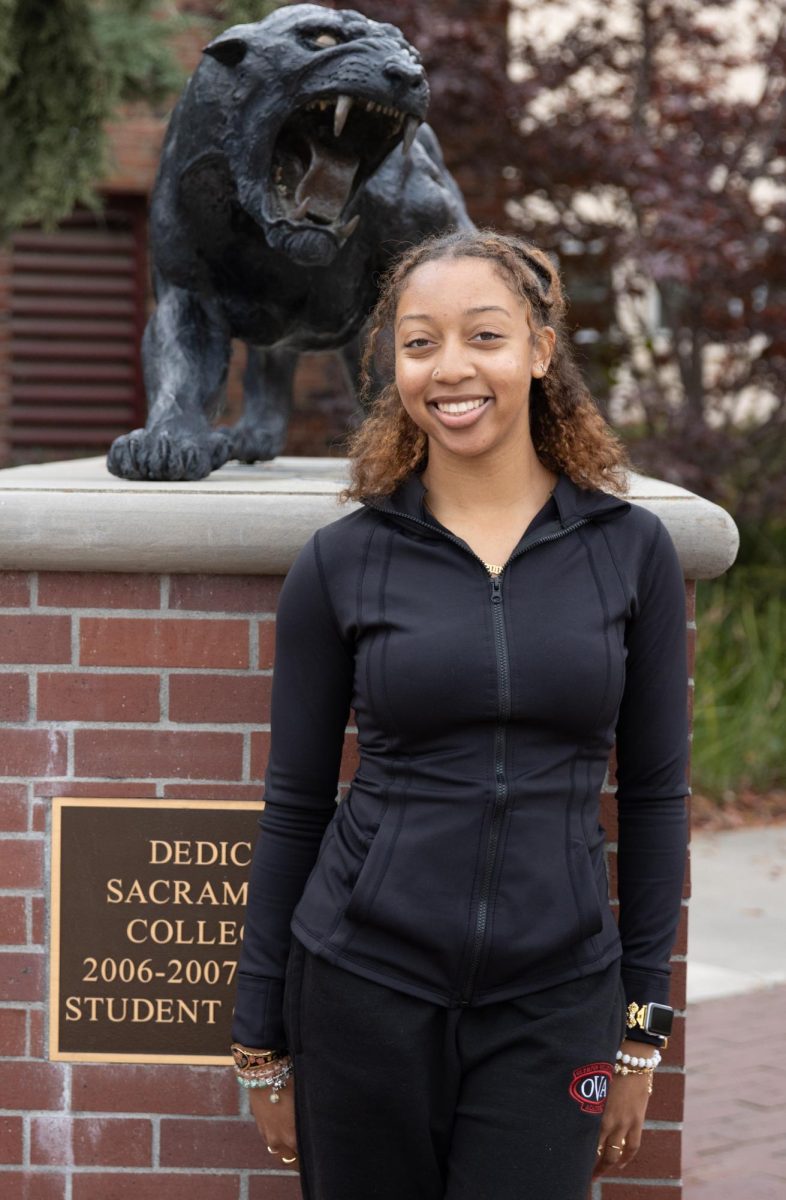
(77, 316)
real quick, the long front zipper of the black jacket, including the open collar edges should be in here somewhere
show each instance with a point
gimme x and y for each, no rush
(503, 712)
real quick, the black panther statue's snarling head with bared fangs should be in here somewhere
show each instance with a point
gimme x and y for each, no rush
(314, 101)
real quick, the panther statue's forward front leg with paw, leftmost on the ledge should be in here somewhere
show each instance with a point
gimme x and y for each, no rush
(185, 355)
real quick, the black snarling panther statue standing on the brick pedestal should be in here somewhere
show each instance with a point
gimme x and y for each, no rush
(296, 166)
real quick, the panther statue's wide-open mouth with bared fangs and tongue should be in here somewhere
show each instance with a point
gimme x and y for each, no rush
(323, 154)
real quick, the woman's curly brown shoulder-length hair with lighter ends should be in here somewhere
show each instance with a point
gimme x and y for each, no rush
(569, 434)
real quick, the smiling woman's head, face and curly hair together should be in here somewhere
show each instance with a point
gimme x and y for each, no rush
(463, 307)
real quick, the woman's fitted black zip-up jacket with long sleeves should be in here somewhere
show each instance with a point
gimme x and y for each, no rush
(466, 865)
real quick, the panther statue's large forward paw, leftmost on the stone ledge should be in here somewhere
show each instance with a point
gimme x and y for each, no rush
(164, 454)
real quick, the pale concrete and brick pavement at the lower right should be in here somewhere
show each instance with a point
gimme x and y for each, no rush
(735, 1139)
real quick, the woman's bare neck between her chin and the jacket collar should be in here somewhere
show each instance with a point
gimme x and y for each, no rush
(514, 478)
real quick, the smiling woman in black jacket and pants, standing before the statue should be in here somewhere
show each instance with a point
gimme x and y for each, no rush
(461, 1015)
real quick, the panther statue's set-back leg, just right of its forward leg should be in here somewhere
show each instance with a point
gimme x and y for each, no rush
(261, 434)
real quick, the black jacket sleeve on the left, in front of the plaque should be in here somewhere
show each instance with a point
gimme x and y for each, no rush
(311, 698)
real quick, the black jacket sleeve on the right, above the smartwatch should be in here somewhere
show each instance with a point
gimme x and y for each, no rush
(652, 784)
